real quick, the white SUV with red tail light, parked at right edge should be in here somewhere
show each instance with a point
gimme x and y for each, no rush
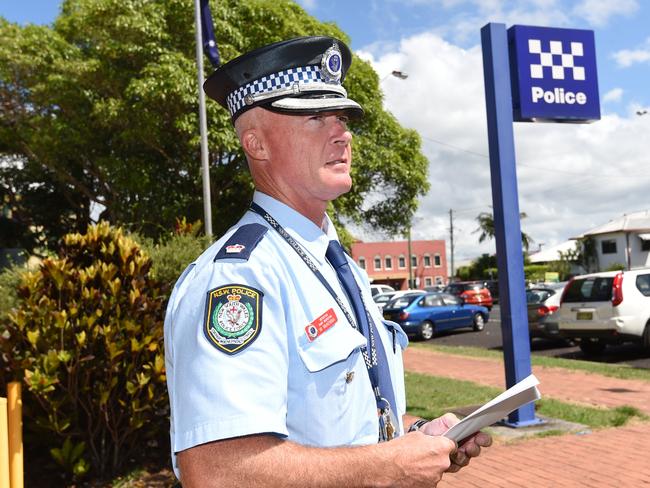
(603, 308)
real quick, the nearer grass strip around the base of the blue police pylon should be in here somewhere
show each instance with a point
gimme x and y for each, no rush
(431, 396)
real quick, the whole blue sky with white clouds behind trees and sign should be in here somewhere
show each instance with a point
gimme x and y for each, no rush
(570, 177)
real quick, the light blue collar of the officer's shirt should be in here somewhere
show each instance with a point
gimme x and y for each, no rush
(312, 238)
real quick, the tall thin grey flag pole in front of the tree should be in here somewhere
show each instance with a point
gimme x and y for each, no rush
(203, 125)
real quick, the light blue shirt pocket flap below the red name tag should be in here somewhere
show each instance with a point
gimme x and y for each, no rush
(333, 346)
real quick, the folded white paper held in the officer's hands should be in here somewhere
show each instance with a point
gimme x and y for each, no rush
(520, 394)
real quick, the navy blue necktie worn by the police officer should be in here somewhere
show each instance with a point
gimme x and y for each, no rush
(336, 257)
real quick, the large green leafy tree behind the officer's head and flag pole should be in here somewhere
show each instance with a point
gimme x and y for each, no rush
(101, 108)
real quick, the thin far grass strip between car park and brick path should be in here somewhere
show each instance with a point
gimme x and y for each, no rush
(614, 370)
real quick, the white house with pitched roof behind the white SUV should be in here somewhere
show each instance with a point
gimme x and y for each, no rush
(625, 240)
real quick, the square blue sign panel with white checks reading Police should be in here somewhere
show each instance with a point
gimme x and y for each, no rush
(554, 76)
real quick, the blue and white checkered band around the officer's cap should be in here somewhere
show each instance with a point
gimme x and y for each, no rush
(270, 83)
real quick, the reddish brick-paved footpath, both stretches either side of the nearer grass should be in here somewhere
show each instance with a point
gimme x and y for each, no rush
(614, 457)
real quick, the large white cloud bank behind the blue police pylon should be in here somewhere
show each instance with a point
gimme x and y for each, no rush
(570, 177)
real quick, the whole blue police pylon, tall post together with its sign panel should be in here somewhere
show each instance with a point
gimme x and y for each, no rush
(542, 91)
